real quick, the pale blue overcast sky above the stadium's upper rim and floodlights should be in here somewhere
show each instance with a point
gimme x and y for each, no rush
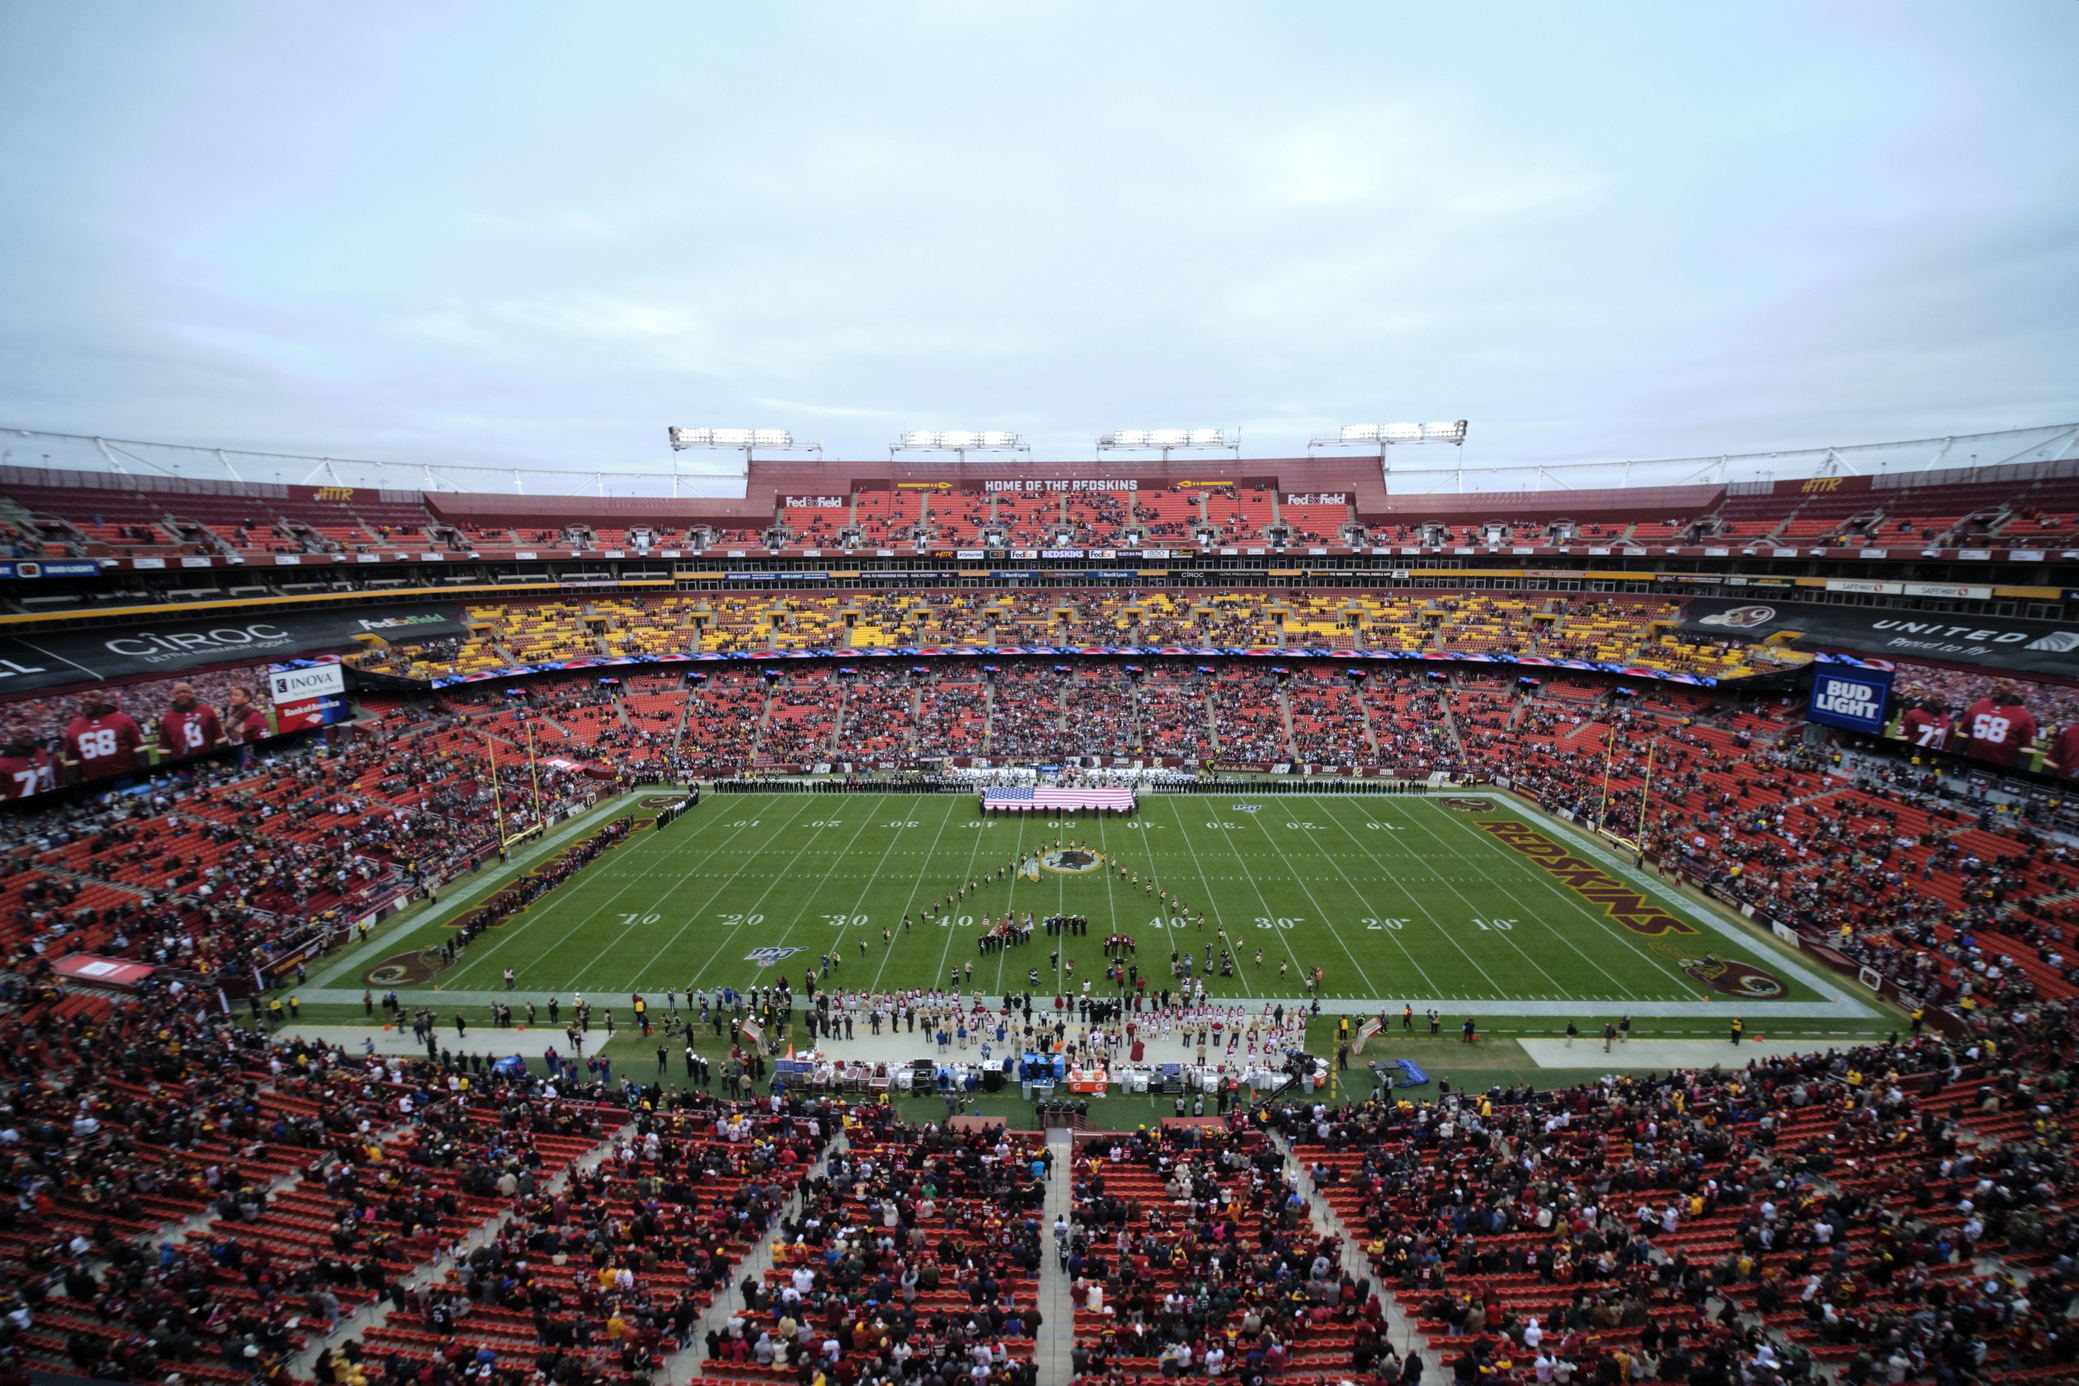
(542, 234)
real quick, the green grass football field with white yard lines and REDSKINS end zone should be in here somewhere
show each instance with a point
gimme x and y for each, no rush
(1471, 911)
